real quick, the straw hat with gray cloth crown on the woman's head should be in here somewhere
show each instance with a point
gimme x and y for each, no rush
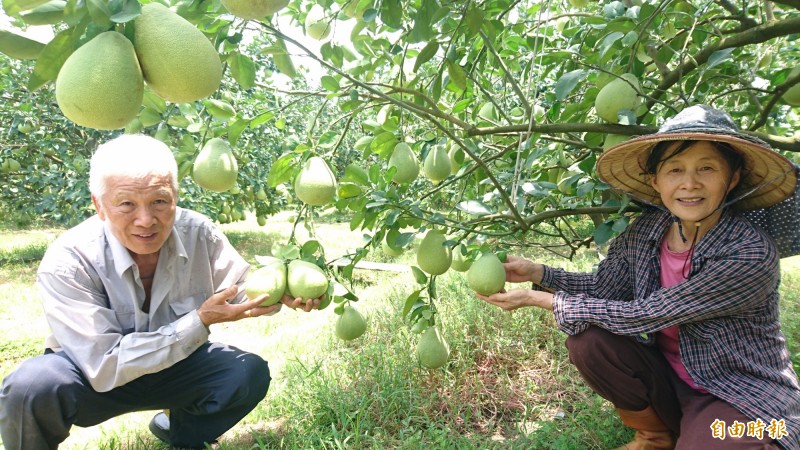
(769, 175)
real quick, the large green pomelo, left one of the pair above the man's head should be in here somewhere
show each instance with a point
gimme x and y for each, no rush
(100, 85)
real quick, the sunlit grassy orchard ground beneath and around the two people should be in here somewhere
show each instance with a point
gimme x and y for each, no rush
(508, 383)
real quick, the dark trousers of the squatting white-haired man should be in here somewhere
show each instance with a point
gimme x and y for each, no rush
(206, 393)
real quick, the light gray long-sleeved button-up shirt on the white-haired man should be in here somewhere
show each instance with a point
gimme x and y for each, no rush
(93, 297)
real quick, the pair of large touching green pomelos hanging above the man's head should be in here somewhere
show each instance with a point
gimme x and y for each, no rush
(101, 84)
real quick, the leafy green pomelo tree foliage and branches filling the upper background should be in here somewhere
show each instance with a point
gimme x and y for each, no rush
(513, 90)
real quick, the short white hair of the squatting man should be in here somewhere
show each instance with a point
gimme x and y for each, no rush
(131, 155)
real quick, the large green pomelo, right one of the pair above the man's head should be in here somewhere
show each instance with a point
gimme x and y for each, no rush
(178, 61)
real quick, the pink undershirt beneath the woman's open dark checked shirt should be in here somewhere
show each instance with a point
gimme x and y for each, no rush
(667, 339)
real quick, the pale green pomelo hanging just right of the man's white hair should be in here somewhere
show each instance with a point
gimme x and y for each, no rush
(215, 167)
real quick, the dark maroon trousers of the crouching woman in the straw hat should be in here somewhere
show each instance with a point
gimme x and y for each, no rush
(634, 376)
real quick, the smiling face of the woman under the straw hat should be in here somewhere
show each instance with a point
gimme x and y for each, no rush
(695, 182)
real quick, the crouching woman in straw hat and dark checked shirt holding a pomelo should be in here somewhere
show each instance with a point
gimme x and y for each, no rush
(679, 327)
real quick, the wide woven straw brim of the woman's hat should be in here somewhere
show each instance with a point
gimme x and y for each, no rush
(771, 175)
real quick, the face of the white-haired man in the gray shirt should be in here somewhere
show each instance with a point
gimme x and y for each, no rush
(140, 211)
